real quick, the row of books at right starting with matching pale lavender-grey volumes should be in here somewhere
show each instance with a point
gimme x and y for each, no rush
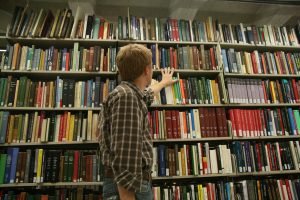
(263, 91)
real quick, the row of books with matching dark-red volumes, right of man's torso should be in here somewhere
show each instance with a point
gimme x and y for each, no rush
(194, 123)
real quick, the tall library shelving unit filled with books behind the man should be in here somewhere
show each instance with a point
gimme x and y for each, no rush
(221, 130)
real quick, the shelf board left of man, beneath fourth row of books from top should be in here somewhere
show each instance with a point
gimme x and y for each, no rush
(28, 144)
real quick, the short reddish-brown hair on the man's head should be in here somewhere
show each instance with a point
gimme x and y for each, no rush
(132, 60)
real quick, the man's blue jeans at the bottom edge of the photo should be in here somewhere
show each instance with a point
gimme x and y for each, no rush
(110, 191)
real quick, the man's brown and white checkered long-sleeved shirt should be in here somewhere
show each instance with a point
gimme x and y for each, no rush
(125, 140)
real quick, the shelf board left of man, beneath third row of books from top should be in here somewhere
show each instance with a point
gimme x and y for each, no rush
(48, 109)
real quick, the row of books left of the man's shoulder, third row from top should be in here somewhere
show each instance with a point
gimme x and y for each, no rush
(19, 92)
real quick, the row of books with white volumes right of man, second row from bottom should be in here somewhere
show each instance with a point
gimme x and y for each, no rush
(238, 157)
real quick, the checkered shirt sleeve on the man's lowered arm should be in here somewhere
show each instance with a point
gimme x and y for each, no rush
(126, 142)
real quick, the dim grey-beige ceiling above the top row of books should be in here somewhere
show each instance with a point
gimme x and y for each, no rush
(230, 11)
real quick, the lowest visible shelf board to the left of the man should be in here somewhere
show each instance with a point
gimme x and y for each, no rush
(50, 184)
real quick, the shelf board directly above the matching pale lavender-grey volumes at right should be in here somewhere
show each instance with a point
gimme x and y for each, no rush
(264, 76)
